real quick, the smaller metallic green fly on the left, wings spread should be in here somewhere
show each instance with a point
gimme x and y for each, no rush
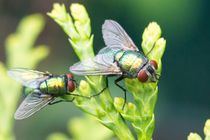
(41, 89)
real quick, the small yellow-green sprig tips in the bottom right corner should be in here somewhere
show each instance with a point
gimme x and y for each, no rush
(195, 136)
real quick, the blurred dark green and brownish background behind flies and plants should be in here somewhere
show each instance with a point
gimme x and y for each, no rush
(184, 92)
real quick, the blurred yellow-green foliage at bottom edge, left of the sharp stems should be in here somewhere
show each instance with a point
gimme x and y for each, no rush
(84, 128)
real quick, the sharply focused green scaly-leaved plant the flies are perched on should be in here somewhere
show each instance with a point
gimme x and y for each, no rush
(106, 110)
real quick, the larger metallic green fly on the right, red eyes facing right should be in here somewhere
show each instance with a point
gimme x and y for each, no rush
(120, 57)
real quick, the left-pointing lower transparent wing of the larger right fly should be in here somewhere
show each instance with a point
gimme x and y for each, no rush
(102, 64)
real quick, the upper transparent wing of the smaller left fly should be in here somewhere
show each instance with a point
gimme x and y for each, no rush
(29, 78)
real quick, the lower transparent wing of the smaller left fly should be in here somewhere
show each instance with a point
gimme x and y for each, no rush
(31, 104)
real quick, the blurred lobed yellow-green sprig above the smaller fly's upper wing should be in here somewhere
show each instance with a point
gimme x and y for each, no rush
(25, 37)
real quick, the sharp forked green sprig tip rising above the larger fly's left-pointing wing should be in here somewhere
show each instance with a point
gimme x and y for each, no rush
(79, 31)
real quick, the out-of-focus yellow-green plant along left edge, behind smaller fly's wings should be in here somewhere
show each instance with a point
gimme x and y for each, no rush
(20, 53)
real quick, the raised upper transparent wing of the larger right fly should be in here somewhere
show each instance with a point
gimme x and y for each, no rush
(116, 37)
